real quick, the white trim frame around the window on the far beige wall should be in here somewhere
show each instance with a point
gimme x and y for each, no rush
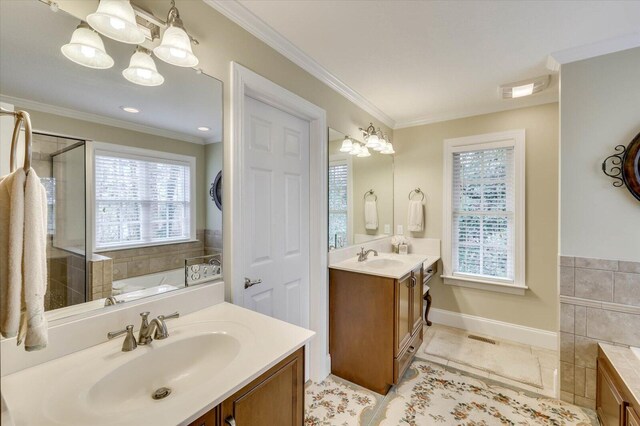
(511, 138)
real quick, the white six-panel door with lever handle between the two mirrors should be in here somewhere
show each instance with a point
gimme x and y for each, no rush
(275, 212)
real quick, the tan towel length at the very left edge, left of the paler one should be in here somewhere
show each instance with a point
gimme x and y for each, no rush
(11, 246)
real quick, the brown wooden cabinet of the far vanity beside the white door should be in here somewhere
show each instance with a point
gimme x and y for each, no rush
(375, 326)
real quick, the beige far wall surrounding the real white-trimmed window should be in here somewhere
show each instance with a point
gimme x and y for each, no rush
(418, 163)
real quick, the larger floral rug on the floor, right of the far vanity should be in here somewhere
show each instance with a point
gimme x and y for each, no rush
(431, 395)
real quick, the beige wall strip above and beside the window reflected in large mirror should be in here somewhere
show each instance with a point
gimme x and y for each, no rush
(65, 126)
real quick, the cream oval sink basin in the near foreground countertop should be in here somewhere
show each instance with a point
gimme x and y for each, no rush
(178, 365)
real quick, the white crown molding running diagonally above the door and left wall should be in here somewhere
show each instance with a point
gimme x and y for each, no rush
(260, 29)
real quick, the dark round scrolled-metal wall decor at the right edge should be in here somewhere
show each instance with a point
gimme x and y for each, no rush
(624, 166)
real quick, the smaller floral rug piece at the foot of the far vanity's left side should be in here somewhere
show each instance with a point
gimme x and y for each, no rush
(334, 402)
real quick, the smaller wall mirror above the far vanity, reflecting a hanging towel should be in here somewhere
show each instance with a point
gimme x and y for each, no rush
(360, 194)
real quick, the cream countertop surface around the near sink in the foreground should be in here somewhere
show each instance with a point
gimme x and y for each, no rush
(58, 392)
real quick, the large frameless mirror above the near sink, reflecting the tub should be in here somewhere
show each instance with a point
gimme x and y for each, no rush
(127, 167)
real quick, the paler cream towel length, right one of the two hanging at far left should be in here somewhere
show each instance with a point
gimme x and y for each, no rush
(33, 323)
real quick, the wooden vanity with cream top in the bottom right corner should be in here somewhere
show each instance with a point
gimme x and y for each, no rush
(618, 386)
